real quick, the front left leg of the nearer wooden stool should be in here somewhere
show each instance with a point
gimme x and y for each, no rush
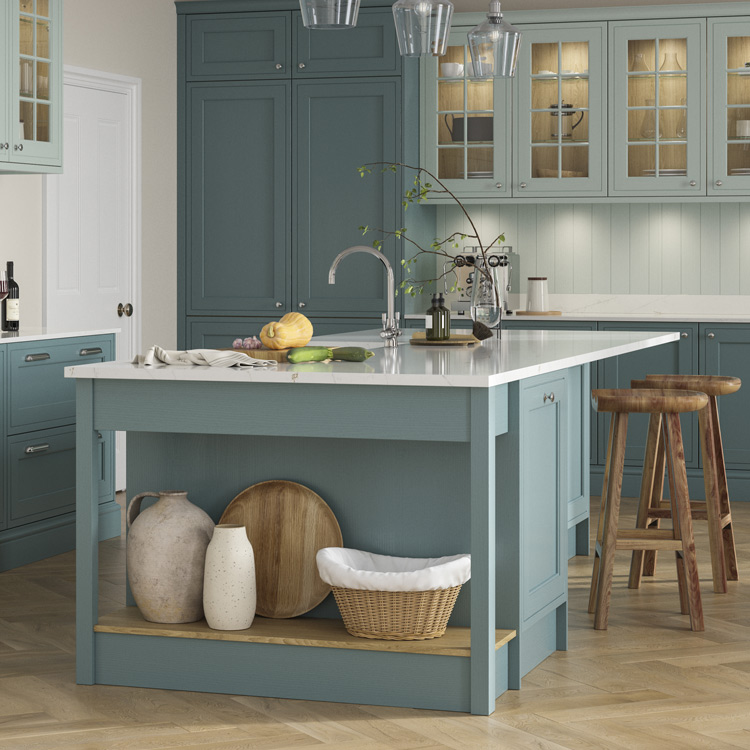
(612, 514)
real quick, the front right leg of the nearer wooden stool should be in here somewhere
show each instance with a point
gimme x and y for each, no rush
(687, 567)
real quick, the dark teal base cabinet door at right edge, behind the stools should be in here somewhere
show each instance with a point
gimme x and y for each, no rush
(725, 350)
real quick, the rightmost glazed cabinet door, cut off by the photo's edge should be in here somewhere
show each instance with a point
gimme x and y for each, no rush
(729, 125)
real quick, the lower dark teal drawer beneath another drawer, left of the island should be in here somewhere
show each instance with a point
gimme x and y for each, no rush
(42, 472)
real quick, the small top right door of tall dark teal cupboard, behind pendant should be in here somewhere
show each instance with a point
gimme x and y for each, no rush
(368, 49)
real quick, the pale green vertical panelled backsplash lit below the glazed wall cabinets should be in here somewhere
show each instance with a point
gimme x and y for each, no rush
(659, 248)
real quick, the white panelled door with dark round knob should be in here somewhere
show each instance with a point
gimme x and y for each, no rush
(92, 223)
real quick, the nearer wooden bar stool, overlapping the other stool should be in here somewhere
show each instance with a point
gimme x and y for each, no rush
(665, 407)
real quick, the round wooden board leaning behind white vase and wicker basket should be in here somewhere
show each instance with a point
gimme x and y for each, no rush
(287, 523)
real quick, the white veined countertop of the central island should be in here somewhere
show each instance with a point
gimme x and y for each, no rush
(517, 355)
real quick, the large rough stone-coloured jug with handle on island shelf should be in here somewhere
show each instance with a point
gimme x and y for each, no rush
(166, 552)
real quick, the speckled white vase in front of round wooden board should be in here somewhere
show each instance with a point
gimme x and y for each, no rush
(229, 592)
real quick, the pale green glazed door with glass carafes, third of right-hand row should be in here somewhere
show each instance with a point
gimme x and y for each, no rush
(657, 133)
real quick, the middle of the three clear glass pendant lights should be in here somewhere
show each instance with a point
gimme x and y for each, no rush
(422, 26)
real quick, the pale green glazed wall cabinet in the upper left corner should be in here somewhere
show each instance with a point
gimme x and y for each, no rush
(31, 86)
